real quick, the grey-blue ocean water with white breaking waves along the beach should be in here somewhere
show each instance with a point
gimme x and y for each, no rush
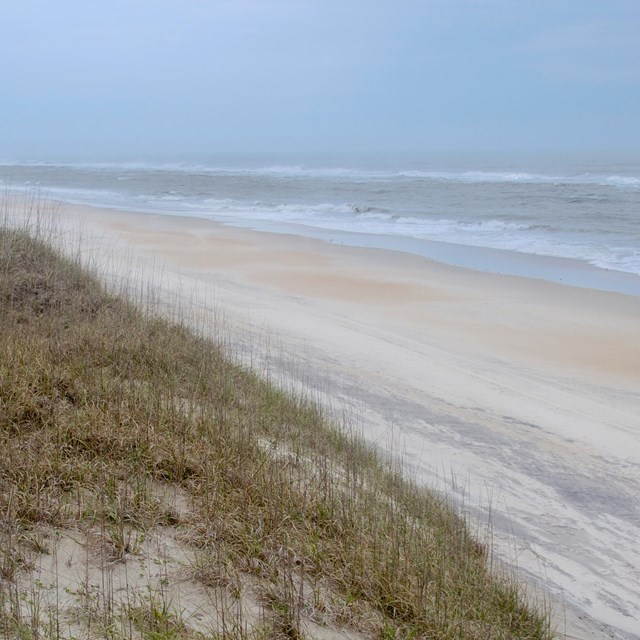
(571, 221)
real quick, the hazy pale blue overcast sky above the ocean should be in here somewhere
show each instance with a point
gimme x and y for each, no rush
(126, 79)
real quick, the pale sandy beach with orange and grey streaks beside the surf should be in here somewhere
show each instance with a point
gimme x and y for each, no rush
(520, 398)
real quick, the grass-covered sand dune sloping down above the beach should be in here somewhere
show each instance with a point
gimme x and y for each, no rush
(152, 488)
